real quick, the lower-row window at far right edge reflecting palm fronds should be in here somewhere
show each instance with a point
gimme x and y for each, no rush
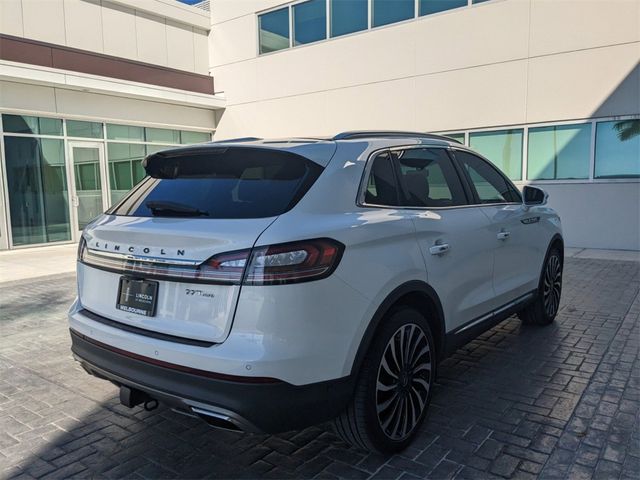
(618, 149)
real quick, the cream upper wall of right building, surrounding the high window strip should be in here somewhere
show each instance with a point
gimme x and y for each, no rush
(502, 62)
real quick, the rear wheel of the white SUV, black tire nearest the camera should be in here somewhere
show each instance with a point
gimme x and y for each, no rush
(390, 403)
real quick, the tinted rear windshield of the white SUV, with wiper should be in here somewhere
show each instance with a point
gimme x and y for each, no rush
(223, 183)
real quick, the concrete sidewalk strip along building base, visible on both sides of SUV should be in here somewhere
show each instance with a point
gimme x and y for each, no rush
(40, 261)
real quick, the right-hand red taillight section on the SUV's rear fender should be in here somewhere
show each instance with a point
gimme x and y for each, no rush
(293, 262)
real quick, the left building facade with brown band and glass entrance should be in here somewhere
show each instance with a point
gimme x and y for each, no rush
(87, 89)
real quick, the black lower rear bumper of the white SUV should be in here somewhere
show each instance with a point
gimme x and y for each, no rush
(254, 407)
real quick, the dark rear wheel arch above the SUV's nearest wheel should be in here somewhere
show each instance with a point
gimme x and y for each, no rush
(417, 294)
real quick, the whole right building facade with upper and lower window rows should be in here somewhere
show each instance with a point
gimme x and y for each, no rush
(549, 90)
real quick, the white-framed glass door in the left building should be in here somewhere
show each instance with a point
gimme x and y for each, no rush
(89, 189)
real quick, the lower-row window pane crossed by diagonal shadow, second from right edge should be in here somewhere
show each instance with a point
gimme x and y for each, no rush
(560, 151)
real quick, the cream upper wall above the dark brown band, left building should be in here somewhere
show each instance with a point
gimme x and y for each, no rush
(161, 32)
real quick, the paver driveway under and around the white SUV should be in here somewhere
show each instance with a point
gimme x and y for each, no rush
(518, 402)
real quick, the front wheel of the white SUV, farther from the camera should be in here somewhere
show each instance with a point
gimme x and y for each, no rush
(543, 310)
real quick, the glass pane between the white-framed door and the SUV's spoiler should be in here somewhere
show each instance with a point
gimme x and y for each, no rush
(125, 168)
